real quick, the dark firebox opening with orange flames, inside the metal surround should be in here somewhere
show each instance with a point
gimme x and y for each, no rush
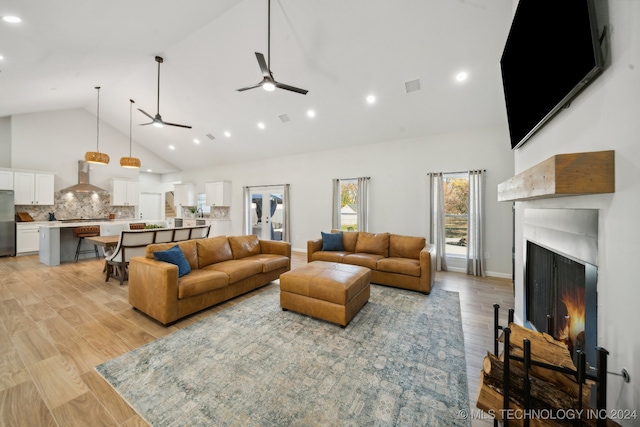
(561, 298)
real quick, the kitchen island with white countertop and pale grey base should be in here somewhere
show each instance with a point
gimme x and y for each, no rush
(58, 244)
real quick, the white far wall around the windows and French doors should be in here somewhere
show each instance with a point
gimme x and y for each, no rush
(399, 185)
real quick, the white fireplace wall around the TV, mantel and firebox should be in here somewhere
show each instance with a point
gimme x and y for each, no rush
(605, 116)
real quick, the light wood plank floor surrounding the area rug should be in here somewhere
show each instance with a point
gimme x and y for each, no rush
(57, 323)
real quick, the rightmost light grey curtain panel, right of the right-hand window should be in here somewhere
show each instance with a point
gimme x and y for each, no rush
(475, 240)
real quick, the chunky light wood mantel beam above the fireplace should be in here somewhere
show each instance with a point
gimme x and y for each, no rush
(562, 175)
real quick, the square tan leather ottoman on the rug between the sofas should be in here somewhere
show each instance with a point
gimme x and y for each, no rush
(326, 290)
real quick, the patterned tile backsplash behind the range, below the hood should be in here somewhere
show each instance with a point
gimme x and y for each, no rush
(78, 205)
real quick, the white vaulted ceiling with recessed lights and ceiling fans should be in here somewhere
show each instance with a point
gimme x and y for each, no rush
(340, 50)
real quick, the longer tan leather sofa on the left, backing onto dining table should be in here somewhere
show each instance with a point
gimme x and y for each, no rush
(221, 268)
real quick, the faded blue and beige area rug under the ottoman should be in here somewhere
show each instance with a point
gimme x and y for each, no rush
(400, 362)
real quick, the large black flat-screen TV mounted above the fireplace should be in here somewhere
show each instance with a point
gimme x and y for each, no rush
(552, 52)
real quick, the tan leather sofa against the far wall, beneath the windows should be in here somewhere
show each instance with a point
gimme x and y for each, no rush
(406, 262)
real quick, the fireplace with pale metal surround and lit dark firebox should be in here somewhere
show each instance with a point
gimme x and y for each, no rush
(560, 259)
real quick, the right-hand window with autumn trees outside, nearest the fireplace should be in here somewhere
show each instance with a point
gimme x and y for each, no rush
(456, 209)
